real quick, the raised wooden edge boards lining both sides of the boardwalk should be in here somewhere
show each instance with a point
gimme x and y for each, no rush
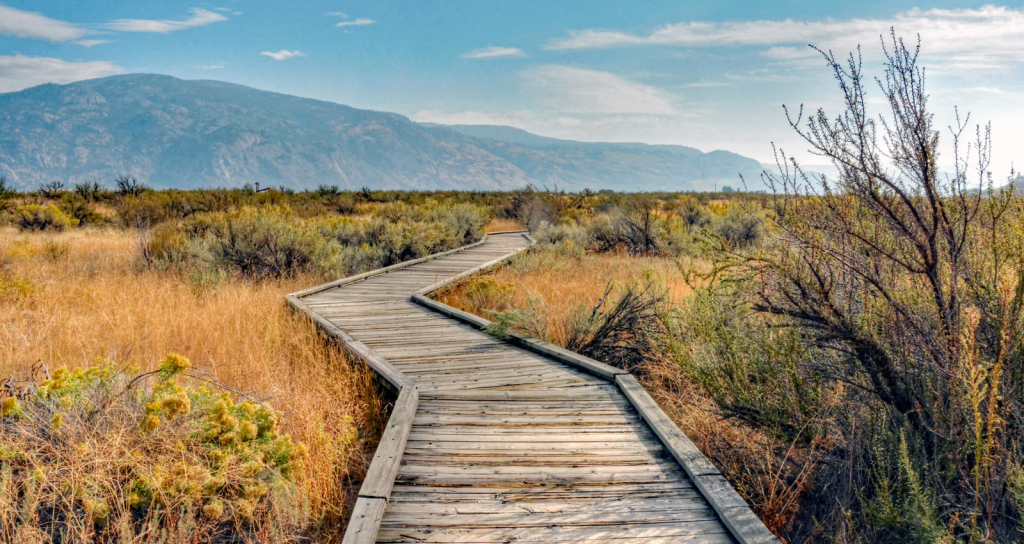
(744, 525)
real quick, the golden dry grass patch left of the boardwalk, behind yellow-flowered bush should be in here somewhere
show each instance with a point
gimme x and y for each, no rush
(88, 299)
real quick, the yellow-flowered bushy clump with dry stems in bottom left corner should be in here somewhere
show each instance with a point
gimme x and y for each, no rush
(108, 453)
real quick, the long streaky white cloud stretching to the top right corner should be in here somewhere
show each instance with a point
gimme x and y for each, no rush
(983, 37)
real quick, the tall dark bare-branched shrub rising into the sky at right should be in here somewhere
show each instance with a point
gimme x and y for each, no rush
(910, 283)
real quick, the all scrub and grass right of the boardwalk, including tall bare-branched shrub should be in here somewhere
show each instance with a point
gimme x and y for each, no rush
(849, 352)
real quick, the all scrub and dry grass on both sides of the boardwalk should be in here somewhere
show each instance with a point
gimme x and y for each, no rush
(848, 352)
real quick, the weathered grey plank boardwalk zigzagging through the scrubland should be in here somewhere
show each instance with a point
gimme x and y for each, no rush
(518, 441)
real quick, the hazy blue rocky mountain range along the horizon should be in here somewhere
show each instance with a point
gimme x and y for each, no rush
(172, 133)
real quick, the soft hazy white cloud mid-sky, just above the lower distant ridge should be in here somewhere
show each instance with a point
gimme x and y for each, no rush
(590, 92)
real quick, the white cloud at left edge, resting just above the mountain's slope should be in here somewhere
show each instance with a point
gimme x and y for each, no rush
(19, 72)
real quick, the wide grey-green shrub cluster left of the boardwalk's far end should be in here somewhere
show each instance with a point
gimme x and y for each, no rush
(274, 241)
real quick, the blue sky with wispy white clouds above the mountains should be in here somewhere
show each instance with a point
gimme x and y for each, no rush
(708, 75)
